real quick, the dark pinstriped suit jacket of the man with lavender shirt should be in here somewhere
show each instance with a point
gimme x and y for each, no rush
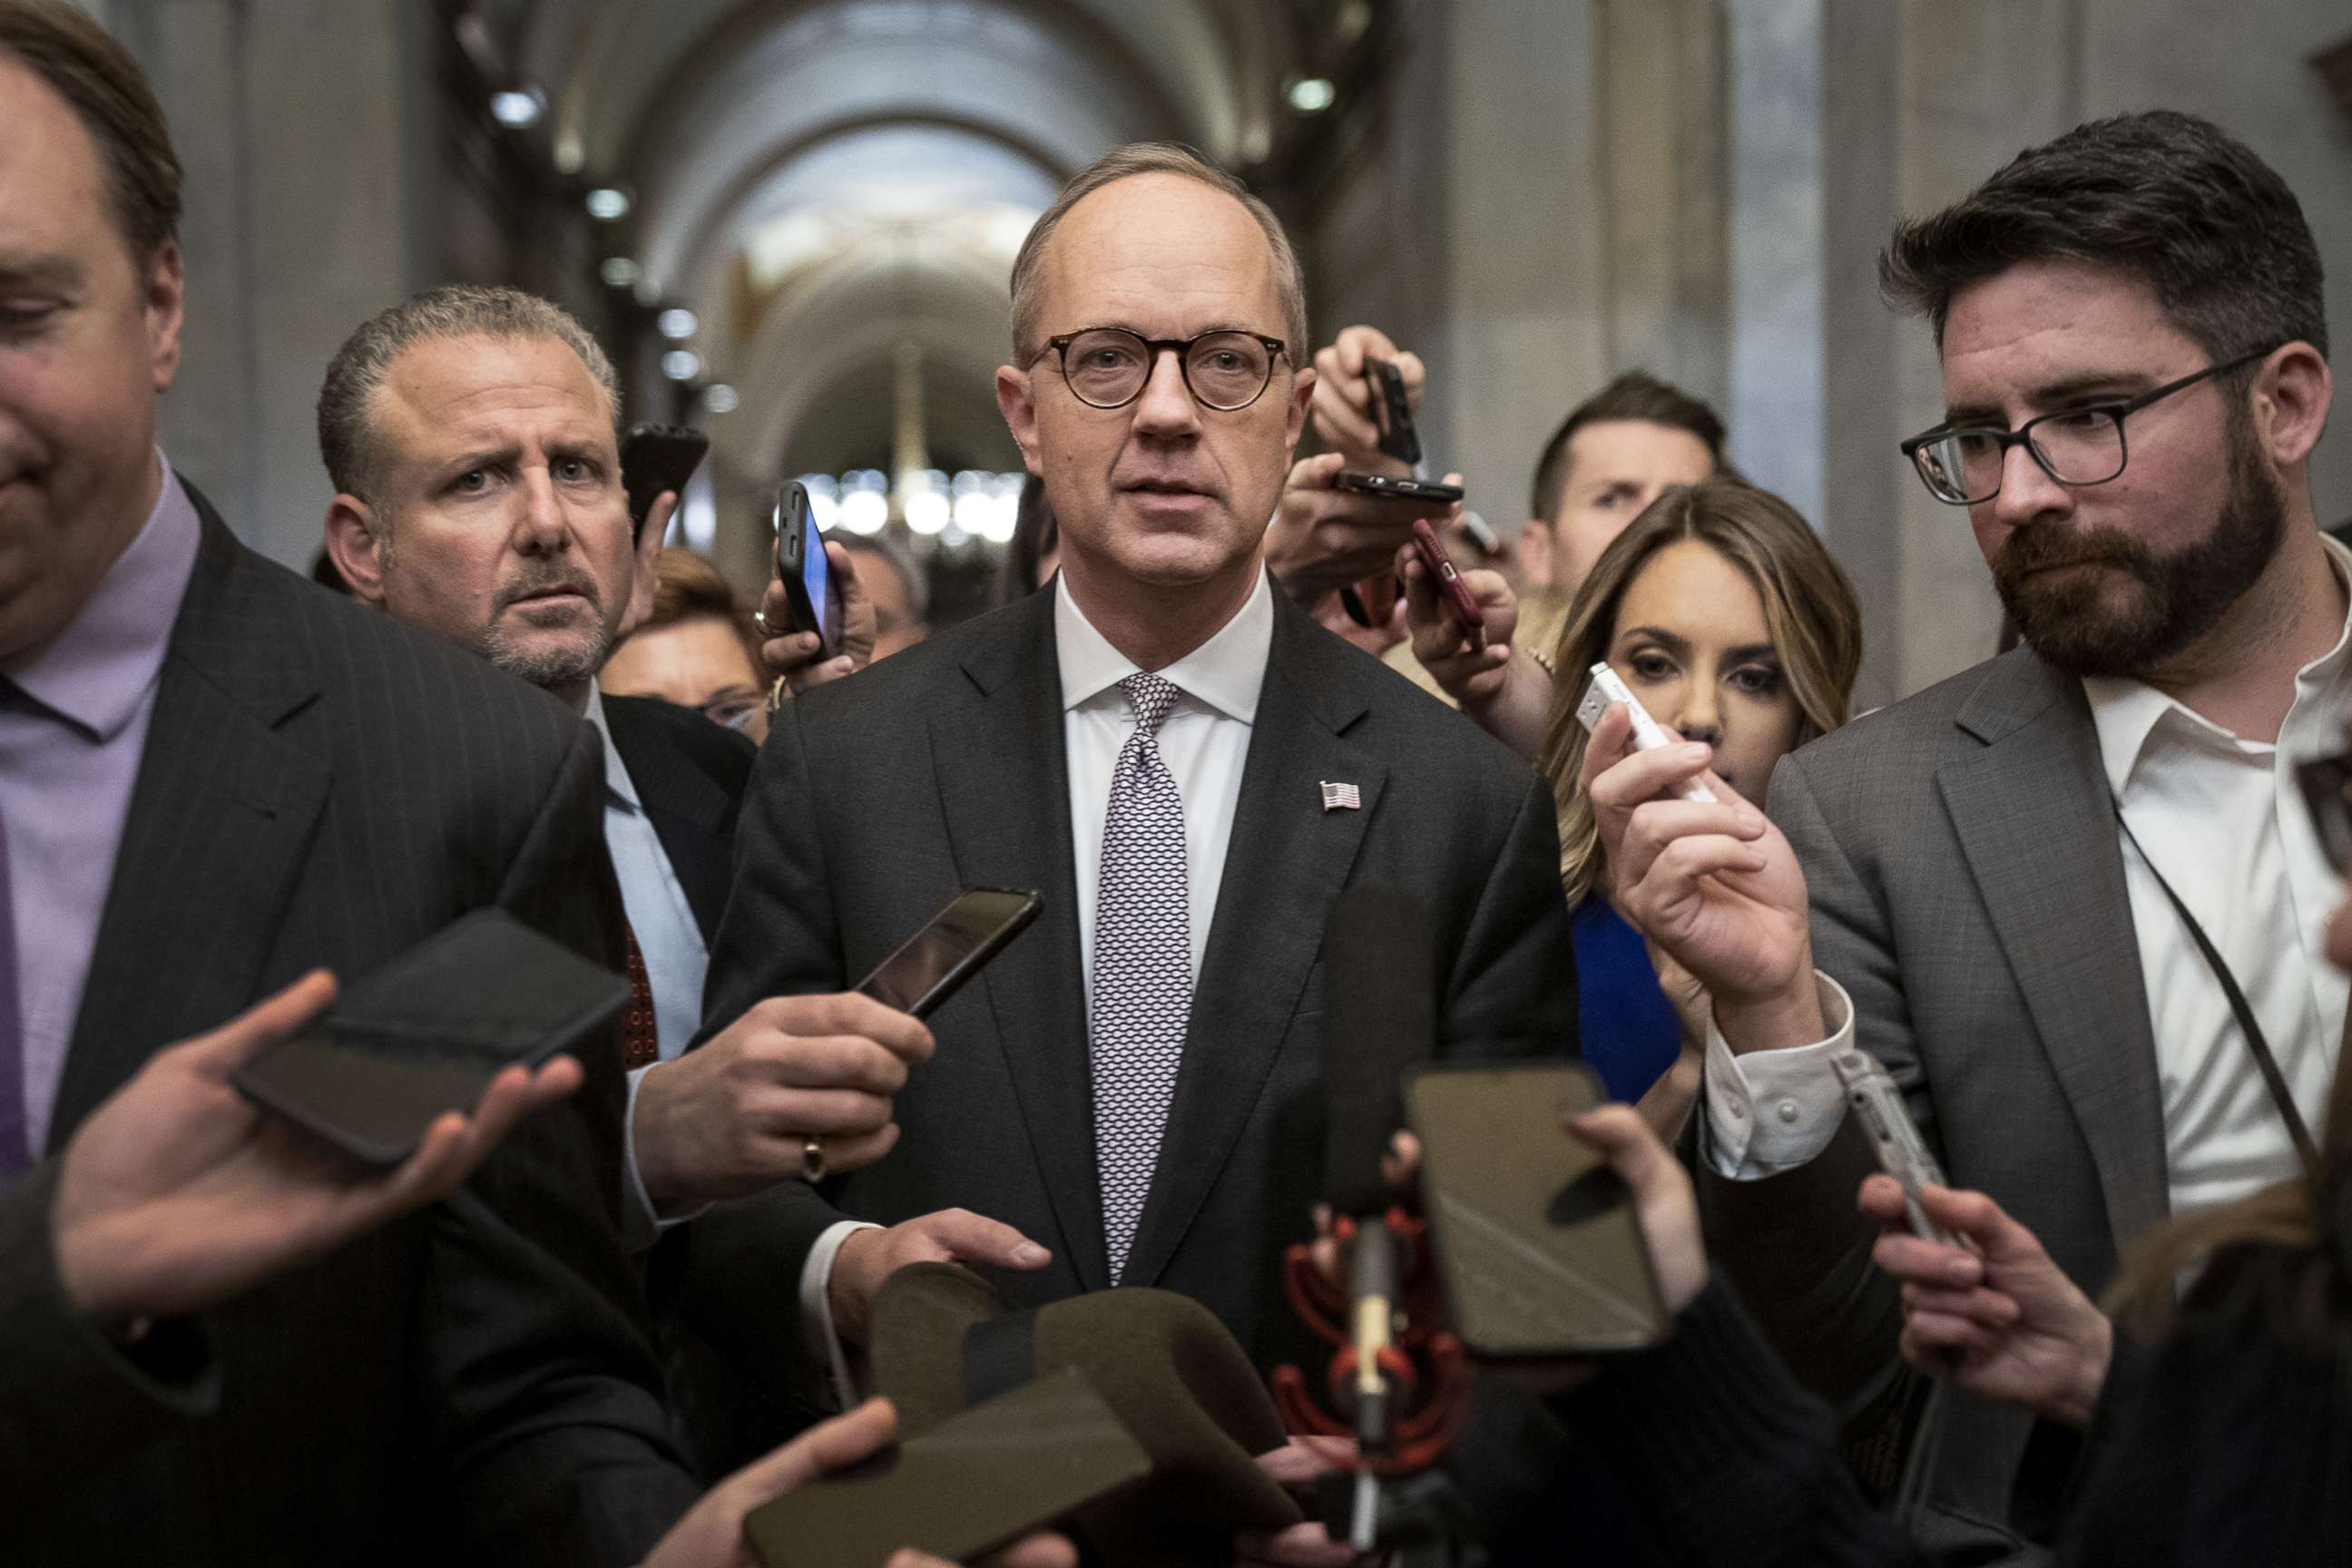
(323, 786)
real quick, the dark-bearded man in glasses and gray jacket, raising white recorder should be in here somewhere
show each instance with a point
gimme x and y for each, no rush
(1993, 864)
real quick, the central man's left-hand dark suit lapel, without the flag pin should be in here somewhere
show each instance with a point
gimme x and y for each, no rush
(1003, 784)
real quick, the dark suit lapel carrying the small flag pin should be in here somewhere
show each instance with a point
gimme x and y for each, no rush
(1285, 864)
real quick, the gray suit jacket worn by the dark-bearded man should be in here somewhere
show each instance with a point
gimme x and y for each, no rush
(1970, 894)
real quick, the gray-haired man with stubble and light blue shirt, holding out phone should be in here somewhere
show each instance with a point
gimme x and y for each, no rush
(472, 438)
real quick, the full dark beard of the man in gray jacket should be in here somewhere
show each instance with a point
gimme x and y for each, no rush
(2083, 626)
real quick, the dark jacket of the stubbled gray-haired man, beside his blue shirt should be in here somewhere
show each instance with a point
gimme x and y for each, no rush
(690, 777)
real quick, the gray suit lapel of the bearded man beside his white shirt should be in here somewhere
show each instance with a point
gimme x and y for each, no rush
(2038, 833)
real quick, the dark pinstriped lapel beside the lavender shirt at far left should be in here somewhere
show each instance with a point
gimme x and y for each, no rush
(220, 819)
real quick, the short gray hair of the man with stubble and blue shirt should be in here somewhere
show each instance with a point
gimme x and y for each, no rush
(455, 311)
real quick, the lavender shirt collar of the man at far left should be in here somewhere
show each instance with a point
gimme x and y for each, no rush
(100, 669)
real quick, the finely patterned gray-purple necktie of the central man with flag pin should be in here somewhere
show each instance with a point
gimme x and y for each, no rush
(1142, 967)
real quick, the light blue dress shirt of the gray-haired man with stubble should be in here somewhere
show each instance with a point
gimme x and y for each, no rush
(669, 939)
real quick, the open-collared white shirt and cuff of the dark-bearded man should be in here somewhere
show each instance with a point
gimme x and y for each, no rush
(2189, 789)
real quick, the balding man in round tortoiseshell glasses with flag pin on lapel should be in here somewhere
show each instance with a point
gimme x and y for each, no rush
(1184, 765)
